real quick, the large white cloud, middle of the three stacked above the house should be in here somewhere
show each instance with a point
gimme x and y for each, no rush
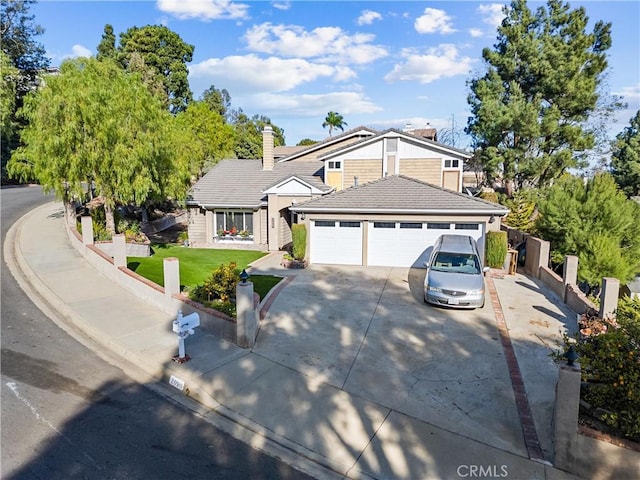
(252, 74)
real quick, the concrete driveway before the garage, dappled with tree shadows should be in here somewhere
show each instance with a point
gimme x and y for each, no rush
(367, 331)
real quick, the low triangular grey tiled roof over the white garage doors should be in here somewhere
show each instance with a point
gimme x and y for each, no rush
(400, 194)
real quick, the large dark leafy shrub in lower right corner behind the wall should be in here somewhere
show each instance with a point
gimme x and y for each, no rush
(609, 355)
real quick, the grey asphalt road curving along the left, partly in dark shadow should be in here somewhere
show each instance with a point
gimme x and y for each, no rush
(69, 414)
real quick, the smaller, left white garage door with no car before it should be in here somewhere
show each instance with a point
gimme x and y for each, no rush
(336, 242)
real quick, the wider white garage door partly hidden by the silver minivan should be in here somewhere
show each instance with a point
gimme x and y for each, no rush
(406, 244)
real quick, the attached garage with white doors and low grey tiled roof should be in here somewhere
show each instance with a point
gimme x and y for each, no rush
(392, 222)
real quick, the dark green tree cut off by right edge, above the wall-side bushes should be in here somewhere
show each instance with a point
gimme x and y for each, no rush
(625, 158)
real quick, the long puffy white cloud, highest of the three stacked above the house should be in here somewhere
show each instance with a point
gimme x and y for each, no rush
(328, 44)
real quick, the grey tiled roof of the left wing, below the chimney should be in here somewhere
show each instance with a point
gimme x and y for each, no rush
(241, 183)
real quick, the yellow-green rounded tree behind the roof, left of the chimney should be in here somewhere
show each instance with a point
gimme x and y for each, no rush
(208, 138)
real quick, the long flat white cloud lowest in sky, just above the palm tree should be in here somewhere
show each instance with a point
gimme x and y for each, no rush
(309, 105)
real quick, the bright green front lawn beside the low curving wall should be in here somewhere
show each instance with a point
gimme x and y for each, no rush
(196, 264)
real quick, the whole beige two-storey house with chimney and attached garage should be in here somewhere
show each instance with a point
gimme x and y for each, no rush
(366, 198)
